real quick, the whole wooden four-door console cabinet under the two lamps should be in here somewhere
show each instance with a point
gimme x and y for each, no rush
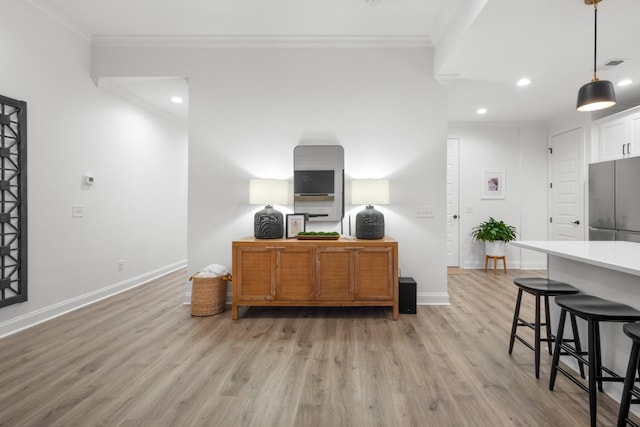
(289, 272)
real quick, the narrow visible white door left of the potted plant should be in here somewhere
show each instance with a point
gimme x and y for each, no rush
(453, 230)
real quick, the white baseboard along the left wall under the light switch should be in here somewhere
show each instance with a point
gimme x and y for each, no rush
(47, 313)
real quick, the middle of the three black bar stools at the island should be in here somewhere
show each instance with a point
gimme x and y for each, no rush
(594, 310)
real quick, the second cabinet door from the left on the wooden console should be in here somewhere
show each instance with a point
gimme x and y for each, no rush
(295, 273)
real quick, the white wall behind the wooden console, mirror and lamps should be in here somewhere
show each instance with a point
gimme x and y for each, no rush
(249, 108)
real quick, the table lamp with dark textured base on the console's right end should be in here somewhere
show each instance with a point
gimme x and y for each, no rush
(370, 222)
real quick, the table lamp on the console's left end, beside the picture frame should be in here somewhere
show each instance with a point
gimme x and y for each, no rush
(268, 223)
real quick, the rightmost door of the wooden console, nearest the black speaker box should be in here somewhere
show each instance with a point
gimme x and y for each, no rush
(374, 271)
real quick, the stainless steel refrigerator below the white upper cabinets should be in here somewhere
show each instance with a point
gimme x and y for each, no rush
(614, 200)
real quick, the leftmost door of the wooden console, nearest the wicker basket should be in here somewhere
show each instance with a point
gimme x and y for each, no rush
(256, 274)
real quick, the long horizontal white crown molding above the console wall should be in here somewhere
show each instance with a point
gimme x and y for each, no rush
(263, 41)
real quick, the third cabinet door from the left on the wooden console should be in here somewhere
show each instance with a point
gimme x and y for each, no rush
(334, 274)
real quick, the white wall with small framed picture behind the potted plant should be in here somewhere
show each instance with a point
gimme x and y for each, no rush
(521, 151)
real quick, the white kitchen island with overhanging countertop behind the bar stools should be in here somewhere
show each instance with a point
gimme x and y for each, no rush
(609, 270)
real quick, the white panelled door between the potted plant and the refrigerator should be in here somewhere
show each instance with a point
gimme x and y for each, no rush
(566, 188)
